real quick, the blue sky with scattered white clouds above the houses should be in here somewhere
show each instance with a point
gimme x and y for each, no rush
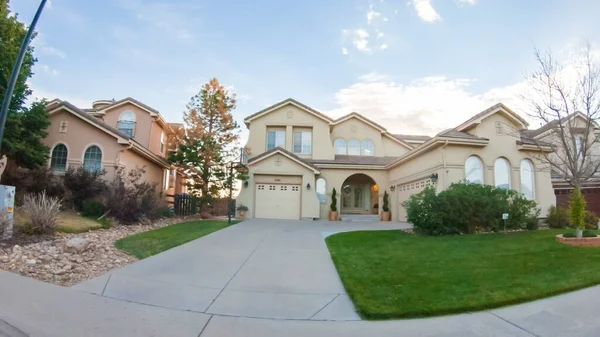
(414, 66)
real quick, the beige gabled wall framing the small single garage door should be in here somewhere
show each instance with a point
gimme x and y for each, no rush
(309, 203)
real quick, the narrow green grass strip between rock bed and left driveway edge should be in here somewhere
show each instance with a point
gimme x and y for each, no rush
(152, 242)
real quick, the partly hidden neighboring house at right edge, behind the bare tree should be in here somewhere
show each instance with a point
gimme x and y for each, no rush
(577, 124)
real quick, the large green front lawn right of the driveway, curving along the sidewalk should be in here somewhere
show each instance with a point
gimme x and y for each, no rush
(390, 274)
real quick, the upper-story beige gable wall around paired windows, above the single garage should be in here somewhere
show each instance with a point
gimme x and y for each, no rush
(289, 117)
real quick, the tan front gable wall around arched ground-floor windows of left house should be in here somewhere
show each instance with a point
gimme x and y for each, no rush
(79, 136)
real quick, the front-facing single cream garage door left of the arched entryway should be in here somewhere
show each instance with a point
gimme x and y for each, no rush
(277, 201)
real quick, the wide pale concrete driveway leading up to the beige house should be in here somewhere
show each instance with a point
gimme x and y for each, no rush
(259, 268)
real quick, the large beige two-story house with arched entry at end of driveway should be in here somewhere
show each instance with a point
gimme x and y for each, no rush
(297, 155)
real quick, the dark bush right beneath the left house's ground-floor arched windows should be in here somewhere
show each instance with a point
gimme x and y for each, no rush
(82, 185)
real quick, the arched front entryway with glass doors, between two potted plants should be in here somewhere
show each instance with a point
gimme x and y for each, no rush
(359, 195)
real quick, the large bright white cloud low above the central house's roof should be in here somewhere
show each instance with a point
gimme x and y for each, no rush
(424, 106)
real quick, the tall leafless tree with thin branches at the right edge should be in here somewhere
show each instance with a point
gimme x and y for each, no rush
(567, 101)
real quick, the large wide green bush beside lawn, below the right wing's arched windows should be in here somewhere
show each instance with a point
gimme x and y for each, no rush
(468, 208)
